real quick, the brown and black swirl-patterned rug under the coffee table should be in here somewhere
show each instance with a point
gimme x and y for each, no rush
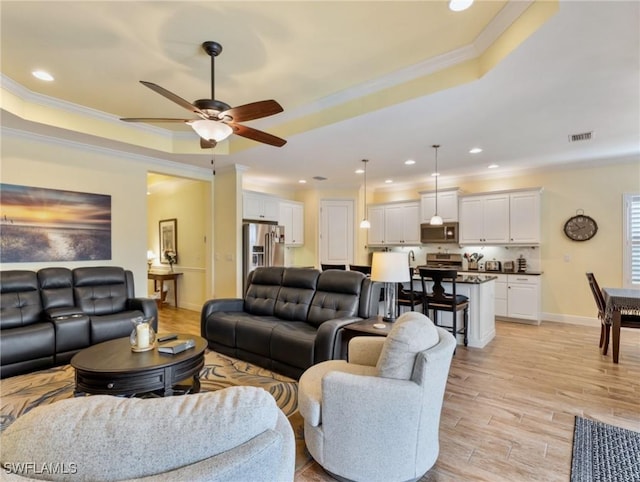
(22, 393)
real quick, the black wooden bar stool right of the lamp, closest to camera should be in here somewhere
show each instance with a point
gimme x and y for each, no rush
(437, 300)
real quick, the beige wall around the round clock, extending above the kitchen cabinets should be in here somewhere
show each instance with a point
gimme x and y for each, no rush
(596, 190)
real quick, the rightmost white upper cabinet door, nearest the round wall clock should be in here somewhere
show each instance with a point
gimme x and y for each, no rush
(524, 217)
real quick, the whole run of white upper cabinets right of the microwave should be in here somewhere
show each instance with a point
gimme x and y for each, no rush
(501, 218)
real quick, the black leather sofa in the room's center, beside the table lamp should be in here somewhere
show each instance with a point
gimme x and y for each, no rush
(290, 318)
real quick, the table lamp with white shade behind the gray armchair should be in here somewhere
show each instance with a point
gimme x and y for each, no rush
(390, 268)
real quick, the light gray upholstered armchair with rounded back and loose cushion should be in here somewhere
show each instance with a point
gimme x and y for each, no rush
(377, 416)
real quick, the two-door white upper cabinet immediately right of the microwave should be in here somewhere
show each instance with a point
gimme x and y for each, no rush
(484, 219)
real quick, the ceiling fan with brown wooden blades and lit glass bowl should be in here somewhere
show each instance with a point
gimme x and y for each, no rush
(217, 120)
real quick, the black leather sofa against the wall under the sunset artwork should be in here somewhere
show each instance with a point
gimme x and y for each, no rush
(48, 316)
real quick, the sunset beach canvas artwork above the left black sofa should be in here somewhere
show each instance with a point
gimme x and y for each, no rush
(38, 224)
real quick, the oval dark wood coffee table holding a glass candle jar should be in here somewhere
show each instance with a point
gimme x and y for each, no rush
(111, 368)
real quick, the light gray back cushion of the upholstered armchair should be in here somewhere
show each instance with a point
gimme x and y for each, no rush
(412, 333)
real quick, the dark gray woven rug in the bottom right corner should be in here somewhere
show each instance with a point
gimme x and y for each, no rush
(604, 453)
